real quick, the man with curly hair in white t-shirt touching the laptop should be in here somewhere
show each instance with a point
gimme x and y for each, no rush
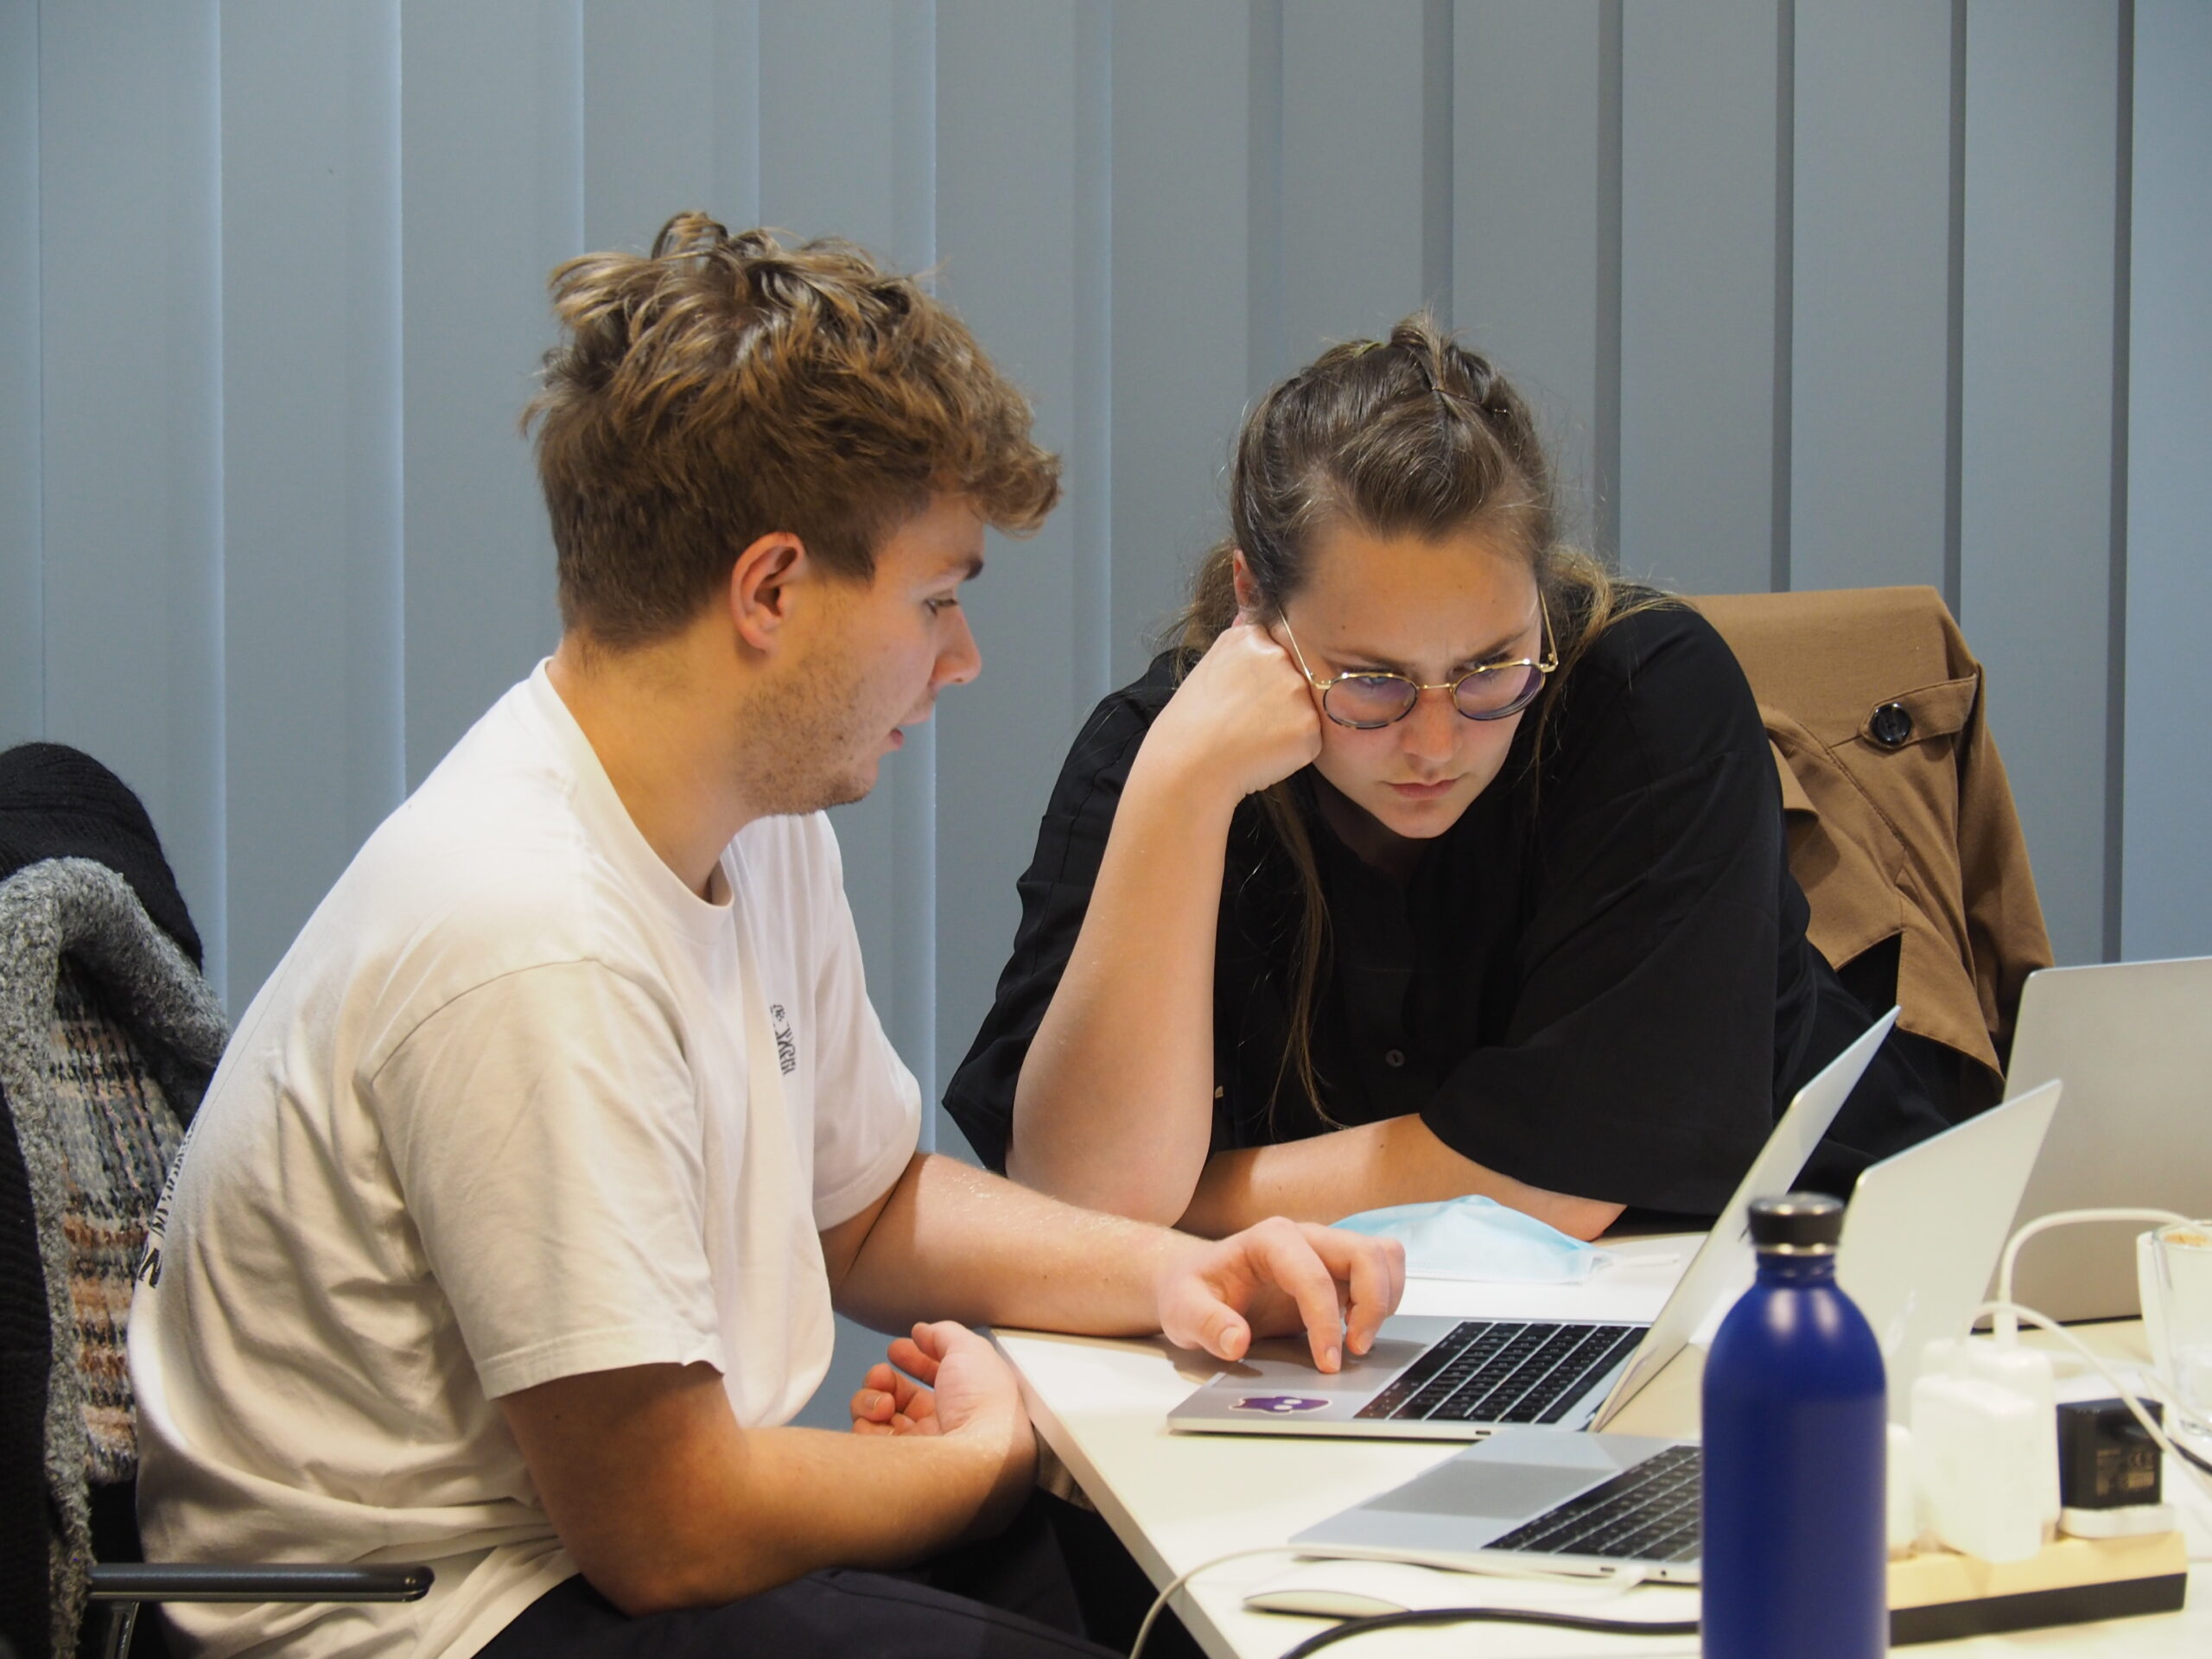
(510, 1231)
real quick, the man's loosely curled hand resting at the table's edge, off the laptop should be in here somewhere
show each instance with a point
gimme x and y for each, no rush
(948, 1381)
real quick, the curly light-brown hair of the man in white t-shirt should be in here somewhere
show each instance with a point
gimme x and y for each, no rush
(724, 388)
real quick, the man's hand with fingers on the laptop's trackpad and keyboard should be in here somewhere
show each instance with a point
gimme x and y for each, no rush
(1275, 1280)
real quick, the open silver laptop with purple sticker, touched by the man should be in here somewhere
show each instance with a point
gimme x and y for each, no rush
(1450, 1379)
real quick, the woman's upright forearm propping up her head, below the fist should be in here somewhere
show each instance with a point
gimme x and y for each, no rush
(1114, 1107)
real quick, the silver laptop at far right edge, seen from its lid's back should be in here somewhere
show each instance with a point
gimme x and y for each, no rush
(2133, 1043)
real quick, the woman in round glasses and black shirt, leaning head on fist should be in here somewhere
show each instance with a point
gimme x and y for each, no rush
(1430, 862)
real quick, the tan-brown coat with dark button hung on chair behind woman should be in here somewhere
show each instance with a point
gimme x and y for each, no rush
(1901, 822)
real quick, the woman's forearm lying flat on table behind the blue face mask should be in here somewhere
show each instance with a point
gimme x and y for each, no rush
(1364, 1169)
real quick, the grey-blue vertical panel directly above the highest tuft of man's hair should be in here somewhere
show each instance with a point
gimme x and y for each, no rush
(671, 116)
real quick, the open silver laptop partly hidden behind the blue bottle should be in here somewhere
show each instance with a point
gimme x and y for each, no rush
(1919, 1240)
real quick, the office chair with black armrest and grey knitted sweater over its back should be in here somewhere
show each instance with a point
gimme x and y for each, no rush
(107, 1043)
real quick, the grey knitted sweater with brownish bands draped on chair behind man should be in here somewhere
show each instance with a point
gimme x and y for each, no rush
(107, 1043)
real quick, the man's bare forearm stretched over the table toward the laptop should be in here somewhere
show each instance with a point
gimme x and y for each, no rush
(954, 1242)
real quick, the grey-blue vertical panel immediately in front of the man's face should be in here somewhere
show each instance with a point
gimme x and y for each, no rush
(1012, 242)
